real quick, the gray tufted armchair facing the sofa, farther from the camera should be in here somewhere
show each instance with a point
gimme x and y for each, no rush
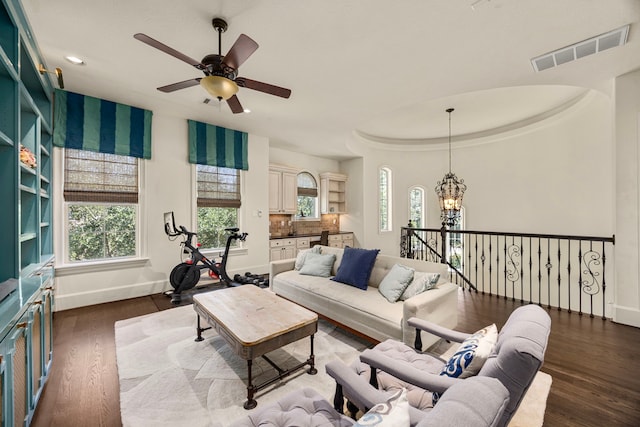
(515, 360)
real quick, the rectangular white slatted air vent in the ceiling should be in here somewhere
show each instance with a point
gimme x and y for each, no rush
(581, 49)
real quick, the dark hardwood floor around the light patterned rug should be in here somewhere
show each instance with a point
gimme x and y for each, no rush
(594, 364)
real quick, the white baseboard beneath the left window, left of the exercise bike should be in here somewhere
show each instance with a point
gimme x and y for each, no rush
(82, 299)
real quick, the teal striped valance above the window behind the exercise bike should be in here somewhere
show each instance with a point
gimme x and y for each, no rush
(217, 146)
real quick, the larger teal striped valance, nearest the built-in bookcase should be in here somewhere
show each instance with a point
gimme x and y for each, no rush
(87, 123)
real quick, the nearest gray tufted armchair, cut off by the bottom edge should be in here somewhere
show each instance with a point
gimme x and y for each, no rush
(478, 402)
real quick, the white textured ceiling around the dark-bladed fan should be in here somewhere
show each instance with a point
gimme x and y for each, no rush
(384, 70)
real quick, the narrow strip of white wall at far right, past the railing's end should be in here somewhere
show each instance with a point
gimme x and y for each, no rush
(627, 128)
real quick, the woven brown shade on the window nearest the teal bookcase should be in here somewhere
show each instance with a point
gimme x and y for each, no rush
(99, 177)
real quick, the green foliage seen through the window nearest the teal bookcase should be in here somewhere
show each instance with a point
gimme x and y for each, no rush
(101, 231)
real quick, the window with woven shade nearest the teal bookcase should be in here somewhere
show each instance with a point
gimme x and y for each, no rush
(101, 201)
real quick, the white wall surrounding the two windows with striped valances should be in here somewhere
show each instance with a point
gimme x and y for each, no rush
(168, 186)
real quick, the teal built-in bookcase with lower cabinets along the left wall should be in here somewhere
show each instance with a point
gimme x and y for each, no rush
(26, 253)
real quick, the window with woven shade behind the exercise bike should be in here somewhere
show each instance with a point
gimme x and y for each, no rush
(218, 202)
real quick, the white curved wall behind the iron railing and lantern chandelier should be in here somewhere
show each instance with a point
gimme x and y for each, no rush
(552, 177)
